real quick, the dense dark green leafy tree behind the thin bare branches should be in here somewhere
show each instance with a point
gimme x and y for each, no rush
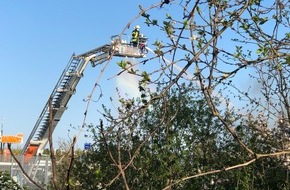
(187, 139)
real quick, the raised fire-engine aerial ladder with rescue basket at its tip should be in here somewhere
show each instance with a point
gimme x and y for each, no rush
(66, 87)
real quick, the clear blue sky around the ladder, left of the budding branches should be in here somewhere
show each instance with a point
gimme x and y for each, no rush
(36, 42)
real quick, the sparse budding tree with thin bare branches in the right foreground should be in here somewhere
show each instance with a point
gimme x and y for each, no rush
(236, 52)
